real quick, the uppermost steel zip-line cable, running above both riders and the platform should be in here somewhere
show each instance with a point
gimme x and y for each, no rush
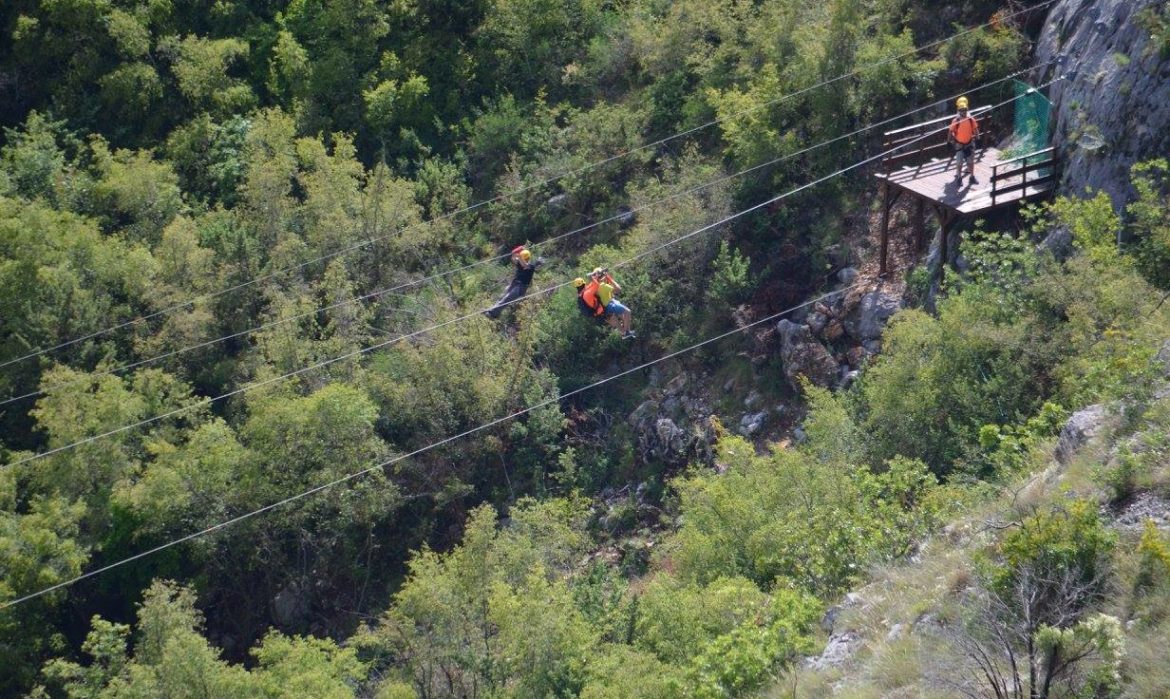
(478, 205)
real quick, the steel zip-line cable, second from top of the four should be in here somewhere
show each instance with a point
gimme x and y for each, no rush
(466, 268)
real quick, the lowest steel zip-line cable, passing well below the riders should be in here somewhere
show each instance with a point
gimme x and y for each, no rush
(408, 456)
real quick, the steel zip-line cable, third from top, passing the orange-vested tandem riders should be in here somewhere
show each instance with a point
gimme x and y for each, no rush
(464, 318)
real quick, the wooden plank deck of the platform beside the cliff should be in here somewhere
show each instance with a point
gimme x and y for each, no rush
(935, 181)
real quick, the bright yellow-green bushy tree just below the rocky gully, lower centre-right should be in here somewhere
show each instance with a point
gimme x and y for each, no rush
(789, 516)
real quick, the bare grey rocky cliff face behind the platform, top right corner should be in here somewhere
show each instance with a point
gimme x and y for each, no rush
(1116, 108)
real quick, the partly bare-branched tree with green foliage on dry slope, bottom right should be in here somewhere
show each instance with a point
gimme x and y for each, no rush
(1029, 632)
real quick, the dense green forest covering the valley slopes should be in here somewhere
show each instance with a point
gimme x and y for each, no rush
(245, 246)
